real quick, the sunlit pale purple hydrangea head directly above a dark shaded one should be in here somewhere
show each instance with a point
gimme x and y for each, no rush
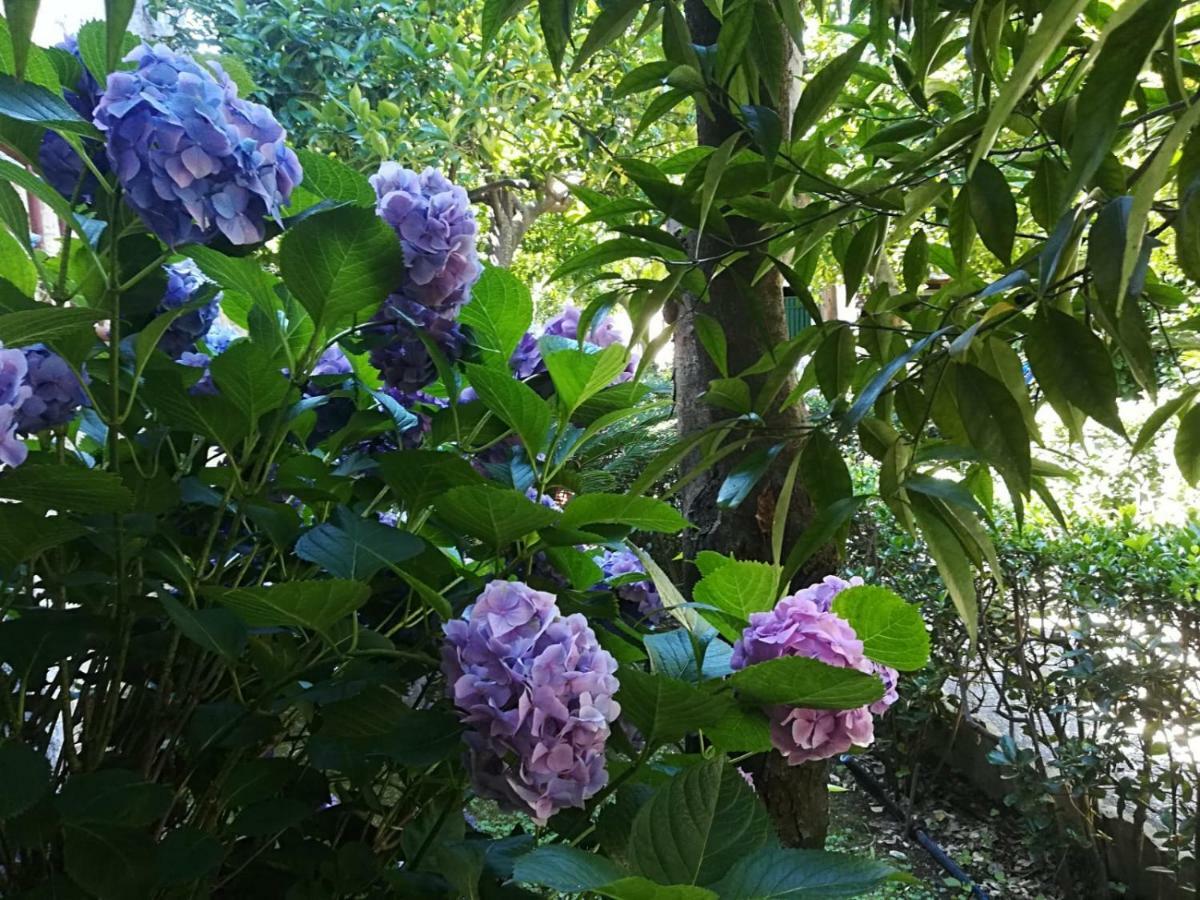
(437, 231)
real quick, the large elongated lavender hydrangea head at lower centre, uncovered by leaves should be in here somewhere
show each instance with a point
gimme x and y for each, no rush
(537, 691)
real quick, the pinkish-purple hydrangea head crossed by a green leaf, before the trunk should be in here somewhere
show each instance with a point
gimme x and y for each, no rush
(803, 626)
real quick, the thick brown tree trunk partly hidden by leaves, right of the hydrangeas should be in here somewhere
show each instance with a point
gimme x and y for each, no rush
(754, 322)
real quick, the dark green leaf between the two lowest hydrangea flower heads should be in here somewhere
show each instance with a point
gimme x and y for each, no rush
(663, 709)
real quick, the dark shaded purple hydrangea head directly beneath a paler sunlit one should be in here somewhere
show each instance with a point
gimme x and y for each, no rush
(401, 357)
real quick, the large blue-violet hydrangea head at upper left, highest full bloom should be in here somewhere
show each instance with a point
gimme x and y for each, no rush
(195, 160)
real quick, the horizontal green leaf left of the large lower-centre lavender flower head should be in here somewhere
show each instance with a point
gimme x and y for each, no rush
(308, 604)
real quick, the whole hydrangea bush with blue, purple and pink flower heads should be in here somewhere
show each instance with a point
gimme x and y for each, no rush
(304, 563)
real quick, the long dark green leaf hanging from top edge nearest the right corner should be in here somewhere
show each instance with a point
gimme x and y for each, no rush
(1109, 86)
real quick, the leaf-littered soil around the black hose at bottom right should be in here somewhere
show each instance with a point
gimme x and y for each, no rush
(983, 839)
